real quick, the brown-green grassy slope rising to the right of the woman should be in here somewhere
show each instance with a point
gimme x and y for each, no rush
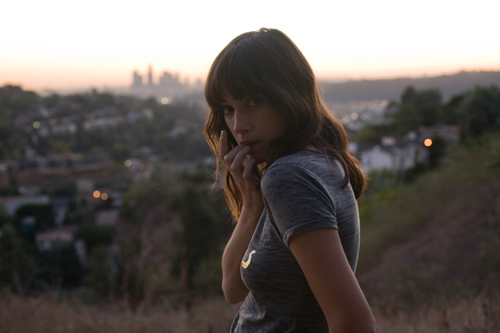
(436, 243)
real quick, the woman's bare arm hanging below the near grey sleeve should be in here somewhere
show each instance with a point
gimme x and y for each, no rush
(320, 255)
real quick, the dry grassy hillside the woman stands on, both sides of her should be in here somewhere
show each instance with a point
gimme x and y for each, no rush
(430, 262)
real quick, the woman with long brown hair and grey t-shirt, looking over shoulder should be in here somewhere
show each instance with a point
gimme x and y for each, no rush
(291, 185)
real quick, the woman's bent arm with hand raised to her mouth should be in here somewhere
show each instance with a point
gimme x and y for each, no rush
(244, 176)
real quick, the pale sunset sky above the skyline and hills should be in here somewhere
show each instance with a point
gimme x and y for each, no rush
(57, 44)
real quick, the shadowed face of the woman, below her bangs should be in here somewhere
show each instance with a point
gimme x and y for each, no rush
(253, 123)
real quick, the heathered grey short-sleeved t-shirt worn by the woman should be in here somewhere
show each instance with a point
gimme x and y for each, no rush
(301, 192)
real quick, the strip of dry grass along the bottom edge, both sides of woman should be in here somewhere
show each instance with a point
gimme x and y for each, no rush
(48, 315)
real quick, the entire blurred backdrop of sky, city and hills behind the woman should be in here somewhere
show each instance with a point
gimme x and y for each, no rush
(109, 216)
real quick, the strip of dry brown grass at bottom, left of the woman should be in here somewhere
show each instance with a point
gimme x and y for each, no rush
(46, 314)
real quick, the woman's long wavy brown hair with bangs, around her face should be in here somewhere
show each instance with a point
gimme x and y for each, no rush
(267, 62)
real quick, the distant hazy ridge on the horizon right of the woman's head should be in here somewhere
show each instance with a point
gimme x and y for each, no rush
(391, 89)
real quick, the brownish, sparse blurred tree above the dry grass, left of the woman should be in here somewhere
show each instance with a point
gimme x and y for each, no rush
(145, 240)
